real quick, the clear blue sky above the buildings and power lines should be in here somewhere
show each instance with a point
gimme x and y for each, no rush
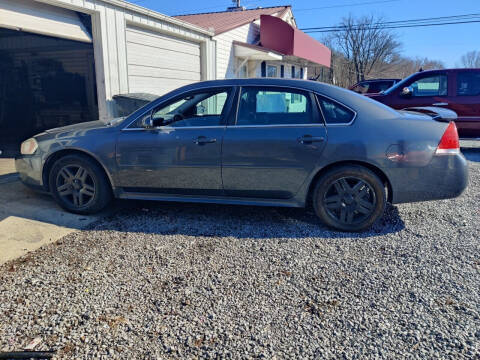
(445, 43)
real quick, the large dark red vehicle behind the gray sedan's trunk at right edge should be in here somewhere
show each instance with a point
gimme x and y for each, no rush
(454, 89)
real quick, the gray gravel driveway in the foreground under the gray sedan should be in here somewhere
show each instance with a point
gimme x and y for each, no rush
(187, 281)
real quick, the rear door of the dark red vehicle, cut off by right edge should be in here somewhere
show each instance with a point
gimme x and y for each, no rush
(467, 102)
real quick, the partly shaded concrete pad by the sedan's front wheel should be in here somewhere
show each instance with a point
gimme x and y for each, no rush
(29, 220)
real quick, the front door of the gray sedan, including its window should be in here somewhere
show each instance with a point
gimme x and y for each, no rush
(176, 147)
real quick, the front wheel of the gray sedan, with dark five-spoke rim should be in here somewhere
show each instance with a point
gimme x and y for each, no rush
(79, 185)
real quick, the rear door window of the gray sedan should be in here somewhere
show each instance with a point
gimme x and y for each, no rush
(274, 106)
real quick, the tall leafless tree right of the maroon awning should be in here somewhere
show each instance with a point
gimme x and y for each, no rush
(366, 45)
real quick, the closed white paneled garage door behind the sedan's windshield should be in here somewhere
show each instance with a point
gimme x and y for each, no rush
(158, 63)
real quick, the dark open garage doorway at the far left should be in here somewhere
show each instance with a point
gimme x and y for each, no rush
(45, 82)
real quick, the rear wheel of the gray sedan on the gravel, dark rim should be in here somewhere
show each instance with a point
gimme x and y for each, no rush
(349, 198)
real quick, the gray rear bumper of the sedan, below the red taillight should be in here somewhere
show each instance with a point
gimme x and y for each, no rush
(445, 177)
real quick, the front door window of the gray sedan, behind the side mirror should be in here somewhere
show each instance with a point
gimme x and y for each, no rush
(194, 109)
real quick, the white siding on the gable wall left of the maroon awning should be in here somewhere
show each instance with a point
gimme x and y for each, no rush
(248, 33)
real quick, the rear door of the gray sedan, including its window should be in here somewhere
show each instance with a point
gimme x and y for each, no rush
(274, 145)
